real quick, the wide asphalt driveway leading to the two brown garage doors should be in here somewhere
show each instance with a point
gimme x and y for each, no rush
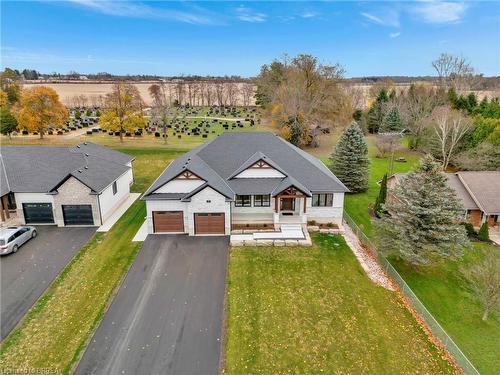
(167, 315)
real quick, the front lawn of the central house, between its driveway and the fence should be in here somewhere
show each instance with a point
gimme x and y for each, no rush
(313, 311)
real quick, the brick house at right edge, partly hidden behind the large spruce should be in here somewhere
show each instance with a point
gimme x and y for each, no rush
(478, 191)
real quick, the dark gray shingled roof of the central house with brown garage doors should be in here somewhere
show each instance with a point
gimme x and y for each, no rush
(219, 160)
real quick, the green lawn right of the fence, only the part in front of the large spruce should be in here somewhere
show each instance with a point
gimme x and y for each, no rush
(445, 294)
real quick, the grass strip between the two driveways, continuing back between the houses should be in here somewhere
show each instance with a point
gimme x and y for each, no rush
(55, 330)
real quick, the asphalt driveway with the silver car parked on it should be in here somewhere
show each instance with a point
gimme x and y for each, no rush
(26, 274)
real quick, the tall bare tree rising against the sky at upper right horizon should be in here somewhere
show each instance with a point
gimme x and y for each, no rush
(455, 72)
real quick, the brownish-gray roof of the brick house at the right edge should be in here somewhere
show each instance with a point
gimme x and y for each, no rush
(484, 188)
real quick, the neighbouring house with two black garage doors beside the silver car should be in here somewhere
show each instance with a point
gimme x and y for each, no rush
(80, 185)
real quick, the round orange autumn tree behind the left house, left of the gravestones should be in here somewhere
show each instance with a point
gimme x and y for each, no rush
(40, 108)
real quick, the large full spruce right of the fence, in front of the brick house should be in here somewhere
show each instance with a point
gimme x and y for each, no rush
(423, 224)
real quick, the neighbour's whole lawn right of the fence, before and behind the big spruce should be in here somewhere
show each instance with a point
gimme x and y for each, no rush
(442, 289)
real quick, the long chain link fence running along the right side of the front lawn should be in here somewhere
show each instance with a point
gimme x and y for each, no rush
(436, 329)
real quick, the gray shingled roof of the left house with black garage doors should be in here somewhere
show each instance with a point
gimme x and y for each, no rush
(38, 169)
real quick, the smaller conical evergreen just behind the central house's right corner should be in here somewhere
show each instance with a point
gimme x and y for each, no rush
(349, 160)
